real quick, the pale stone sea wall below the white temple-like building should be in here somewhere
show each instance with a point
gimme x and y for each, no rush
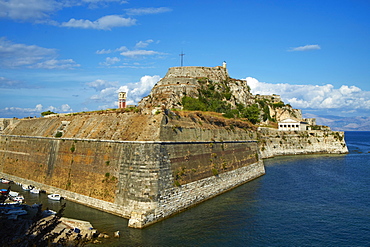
(274, 143)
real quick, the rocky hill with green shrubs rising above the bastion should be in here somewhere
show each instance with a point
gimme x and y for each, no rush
(212, 89)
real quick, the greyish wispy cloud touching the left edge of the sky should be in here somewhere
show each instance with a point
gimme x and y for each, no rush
(14, 55)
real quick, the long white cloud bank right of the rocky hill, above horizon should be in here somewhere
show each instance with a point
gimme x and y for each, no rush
(326, 96)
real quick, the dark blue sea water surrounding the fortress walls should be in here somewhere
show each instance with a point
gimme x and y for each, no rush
(304, 200)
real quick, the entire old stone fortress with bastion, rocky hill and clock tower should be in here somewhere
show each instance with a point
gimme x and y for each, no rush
(153, 161)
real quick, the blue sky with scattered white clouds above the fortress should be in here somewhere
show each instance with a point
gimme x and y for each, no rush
(76, 55)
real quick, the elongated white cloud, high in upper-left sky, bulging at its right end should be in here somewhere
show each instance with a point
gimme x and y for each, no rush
(104, 23)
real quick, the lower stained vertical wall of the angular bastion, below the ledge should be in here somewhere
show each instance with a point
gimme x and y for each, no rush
(126, 178)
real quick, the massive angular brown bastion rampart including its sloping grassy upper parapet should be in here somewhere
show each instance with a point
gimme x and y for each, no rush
(144, 181)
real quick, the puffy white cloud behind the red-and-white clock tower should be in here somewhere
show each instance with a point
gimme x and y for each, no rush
(108, 91)
